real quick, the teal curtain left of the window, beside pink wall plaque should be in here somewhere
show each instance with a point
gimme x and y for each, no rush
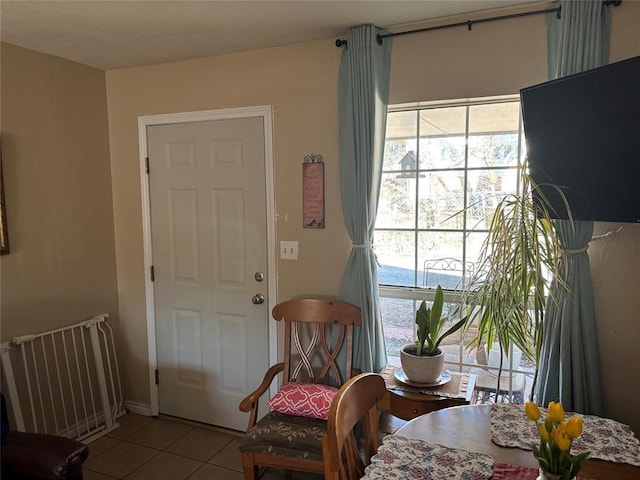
(363, 95)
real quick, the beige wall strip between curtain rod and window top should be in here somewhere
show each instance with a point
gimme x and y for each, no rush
(493, 59)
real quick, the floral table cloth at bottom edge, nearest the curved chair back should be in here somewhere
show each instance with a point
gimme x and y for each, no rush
(403, 458)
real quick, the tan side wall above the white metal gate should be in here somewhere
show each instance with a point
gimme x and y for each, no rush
(55, 155)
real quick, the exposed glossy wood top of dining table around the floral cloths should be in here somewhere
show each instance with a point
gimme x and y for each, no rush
(468, 428)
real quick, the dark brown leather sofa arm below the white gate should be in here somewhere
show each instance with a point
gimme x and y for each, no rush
(40, 456)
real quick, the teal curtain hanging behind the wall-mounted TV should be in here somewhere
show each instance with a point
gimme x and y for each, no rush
(570, 360)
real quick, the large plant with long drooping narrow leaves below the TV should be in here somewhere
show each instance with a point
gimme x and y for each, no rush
(507, 295)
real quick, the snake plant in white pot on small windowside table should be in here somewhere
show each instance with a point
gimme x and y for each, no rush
(423, 361)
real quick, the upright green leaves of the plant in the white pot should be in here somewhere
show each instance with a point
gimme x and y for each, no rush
(431, 323)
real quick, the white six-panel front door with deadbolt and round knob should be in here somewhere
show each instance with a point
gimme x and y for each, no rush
(209, 242)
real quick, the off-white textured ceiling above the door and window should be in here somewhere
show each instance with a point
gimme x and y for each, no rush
(124, 33)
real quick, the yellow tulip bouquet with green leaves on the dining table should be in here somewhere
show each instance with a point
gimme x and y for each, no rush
(556, 436)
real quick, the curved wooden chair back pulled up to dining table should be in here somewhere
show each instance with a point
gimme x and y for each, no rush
(356, 403)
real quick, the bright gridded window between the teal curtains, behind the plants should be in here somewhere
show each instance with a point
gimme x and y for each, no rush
(446, 166)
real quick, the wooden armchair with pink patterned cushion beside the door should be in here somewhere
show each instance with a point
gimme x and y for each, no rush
(318, 351)
